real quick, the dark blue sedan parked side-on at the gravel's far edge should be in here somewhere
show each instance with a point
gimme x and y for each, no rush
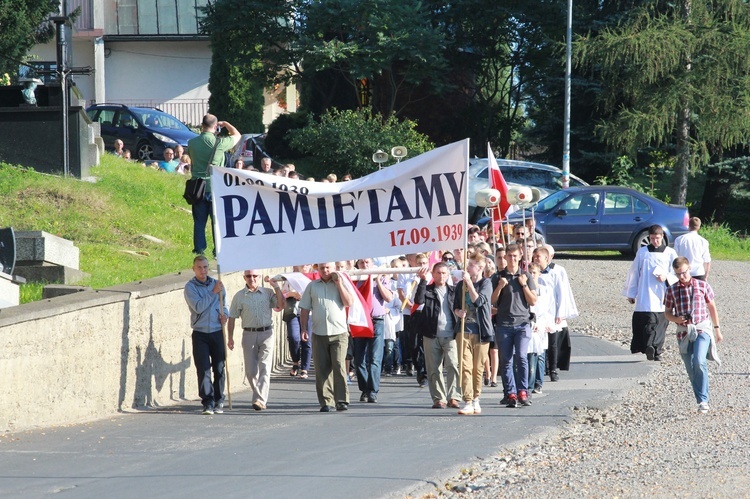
(604, 217)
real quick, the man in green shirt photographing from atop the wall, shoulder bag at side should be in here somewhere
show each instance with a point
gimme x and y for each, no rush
(206, 150)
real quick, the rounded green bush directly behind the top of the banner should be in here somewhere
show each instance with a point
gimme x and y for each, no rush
(344, 141)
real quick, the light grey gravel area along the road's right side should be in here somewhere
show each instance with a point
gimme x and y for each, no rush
(653, 442)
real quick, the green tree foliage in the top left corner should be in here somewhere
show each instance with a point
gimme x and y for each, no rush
(23, 24)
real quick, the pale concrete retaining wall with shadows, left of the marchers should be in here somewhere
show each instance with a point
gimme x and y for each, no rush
(92, 354)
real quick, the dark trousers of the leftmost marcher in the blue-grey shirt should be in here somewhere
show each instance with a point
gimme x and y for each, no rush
(209, 355)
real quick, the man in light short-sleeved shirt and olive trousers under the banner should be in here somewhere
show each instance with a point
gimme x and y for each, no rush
(326, 298)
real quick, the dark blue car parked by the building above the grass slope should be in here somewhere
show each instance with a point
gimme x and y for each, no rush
(146, 131)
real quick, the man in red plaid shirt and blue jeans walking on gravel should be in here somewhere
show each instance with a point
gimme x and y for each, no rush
(689, 303)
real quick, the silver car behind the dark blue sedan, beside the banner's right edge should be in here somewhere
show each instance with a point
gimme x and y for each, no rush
(546, 178)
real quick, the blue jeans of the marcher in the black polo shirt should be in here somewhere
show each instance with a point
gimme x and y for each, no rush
(514, 346)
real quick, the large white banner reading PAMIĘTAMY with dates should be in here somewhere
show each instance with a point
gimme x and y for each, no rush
(264, 221)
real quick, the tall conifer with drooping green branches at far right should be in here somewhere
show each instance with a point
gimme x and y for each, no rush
(675, 75)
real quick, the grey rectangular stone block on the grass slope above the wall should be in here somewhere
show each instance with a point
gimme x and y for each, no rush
(39, 247)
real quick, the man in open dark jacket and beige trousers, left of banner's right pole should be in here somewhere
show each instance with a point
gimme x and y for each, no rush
(437, 327)
